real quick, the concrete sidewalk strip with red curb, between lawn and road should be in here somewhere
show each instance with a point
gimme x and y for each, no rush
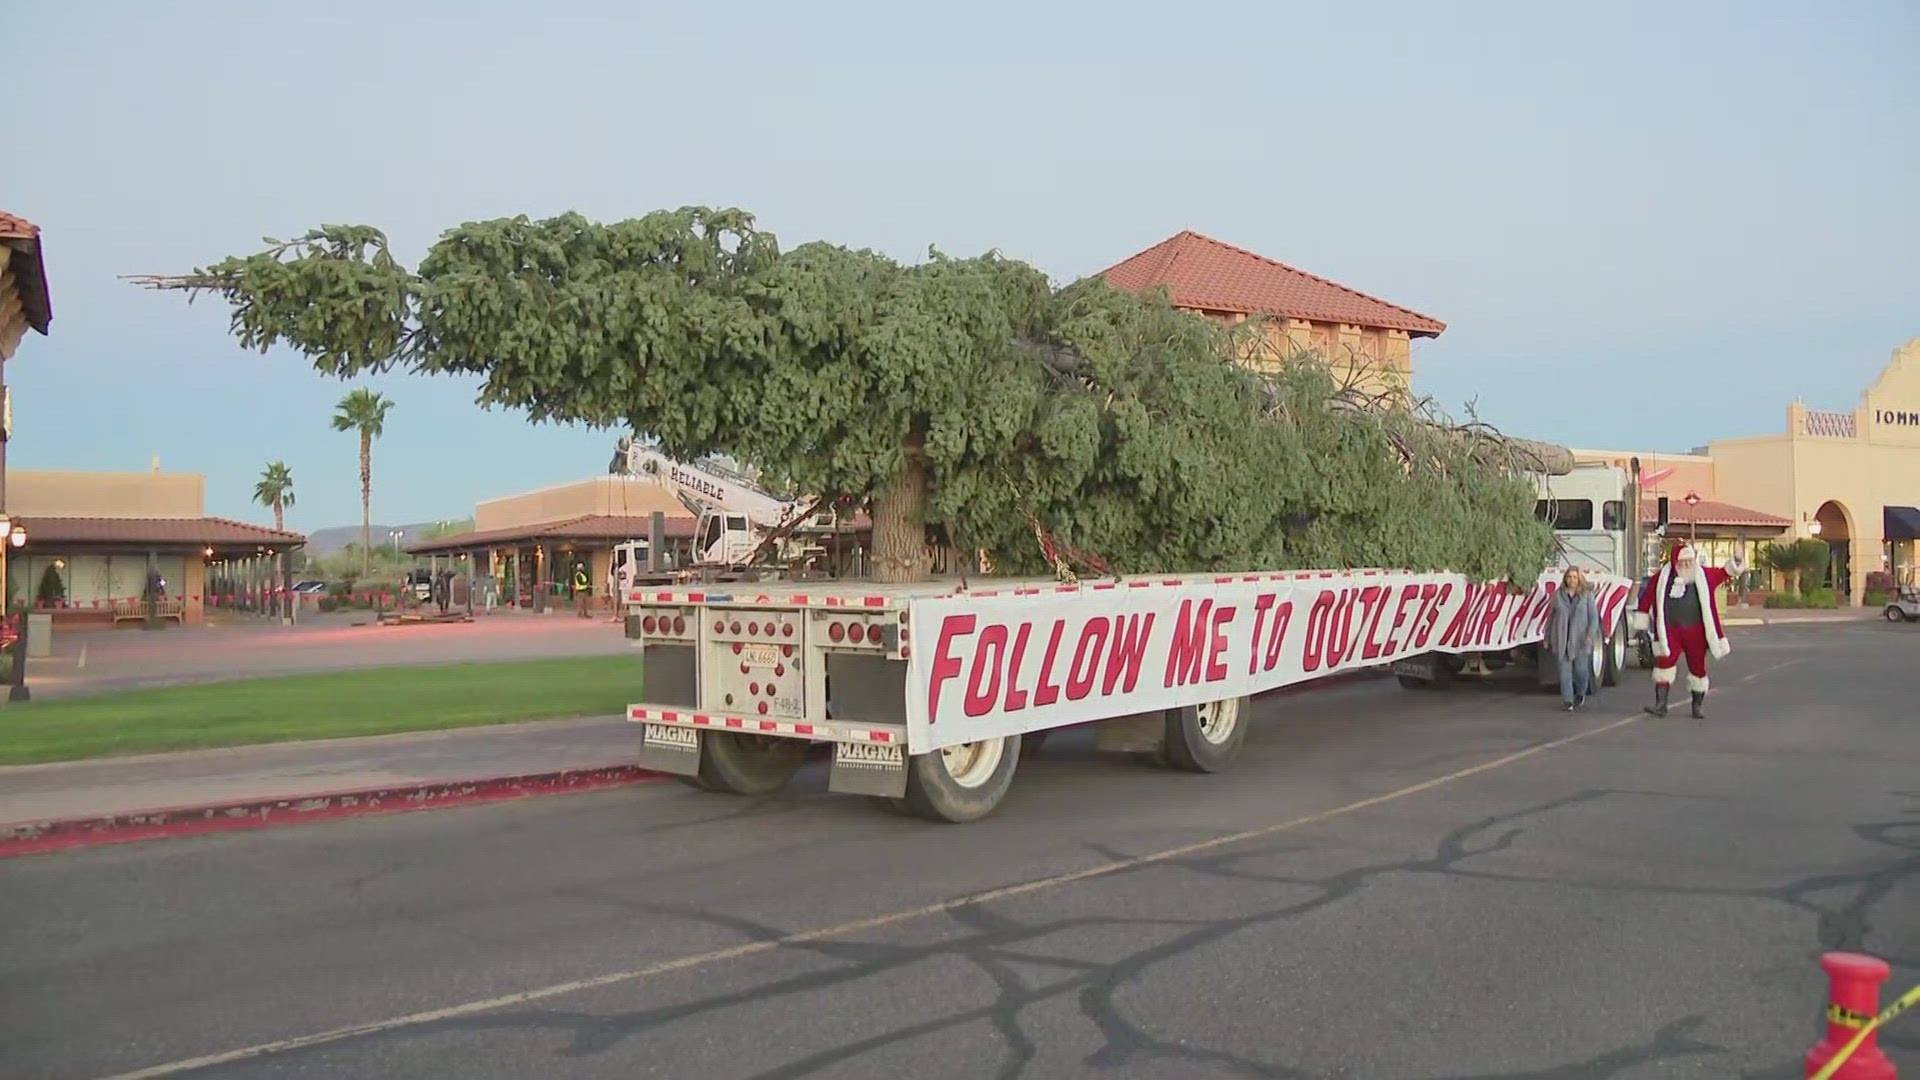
(206, 789)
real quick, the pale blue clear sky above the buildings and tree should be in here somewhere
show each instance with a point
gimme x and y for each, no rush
(1646, 226)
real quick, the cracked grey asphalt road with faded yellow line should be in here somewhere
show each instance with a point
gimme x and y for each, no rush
(1391, 887)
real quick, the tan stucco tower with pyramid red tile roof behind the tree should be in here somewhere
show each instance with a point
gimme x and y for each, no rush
(1364, 339)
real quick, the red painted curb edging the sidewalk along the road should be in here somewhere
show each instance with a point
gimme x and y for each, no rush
(258, 814)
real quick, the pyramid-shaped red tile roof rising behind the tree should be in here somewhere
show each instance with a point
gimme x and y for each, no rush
(1205, 274)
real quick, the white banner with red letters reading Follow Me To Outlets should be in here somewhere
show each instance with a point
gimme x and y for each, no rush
(1013, 662)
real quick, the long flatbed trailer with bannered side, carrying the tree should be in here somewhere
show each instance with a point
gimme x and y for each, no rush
(928, 693)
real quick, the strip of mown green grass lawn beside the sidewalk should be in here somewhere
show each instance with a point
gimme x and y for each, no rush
(337, 704)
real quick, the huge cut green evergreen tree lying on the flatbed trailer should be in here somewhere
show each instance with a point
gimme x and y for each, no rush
(967, 395)
